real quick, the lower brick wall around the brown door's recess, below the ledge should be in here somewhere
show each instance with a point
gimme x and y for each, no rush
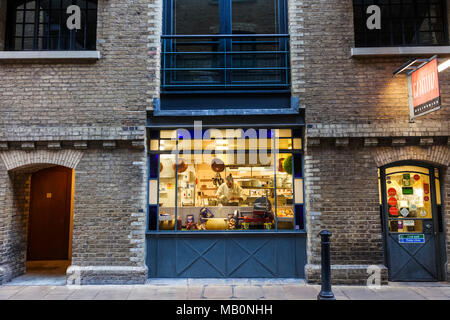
(108, 222)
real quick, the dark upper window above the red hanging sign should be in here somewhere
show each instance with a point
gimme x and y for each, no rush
(403, 23)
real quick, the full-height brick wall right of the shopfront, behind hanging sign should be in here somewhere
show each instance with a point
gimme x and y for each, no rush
(353, 110)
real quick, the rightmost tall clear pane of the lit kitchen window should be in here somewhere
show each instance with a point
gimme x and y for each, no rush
(285, 195)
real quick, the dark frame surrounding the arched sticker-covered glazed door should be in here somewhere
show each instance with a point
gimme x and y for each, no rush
(439, 236)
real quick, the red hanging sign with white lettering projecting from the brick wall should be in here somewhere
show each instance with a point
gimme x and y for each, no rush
(425, 89)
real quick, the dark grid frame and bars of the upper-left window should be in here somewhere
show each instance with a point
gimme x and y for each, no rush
(66, 40)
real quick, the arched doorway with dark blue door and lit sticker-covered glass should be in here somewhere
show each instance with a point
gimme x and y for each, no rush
(412, 218)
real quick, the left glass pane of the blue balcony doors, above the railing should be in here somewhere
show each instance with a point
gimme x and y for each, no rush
(186, 10)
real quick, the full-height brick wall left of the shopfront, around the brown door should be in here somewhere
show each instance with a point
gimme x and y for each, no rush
(54, 113)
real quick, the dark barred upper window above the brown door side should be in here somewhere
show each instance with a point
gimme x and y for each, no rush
(42, 25)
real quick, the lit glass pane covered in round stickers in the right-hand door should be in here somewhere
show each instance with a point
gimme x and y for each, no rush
(408, 195)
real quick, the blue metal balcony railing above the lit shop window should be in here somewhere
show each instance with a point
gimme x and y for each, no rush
(225, 62)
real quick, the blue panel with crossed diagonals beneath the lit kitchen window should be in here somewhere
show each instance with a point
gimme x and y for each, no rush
(226, 255)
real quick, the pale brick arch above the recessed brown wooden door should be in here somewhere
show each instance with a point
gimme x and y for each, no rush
(19, 159)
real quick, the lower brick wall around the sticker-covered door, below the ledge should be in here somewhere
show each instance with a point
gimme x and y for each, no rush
(342, 196)
